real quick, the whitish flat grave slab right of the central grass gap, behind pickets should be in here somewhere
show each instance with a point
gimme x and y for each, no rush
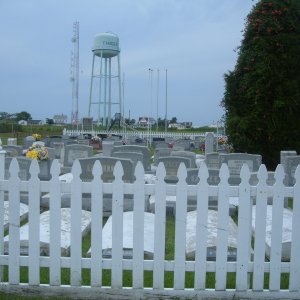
(212, 229)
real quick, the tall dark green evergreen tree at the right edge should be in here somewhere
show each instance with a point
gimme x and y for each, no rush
(262, 94)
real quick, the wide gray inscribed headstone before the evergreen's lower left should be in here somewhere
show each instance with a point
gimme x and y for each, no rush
(235, 162)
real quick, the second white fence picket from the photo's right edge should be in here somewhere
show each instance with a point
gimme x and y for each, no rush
(276, 235)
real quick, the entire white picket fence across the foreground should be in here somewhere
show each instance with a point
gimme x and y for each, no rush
(245, 286)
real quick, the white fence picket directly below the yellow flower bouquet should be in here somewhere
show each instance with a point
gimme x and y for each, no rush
(34, 224)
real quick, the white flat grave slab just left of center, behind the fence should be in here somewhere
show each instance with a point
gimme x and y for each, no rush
(148, 244)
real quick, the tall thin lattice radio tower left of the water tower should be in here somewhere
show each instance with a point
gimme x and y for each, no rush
(75, 73)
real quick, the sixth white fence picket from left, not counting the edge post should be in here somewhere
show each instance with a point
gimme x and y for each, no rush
(117, 227)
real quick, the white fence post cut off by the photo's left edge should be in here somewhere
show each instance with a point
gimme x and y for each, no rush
(2, 172)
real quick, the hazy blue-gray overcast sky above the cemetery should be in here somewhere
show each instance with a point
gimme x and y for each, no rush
(193, 39)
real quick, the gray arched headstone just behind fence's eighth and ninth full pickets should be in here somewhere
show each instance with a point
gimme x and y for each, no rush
(172, 164)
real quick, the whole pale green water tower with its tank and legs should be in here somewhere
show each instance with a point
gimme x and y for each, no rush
(105, 89)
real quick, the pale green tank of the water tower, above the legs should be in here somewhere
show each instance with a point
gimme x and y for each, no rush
(106, 43)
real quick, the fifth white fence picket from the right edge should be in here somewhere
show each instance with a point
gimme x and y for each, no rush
(222, 231)
